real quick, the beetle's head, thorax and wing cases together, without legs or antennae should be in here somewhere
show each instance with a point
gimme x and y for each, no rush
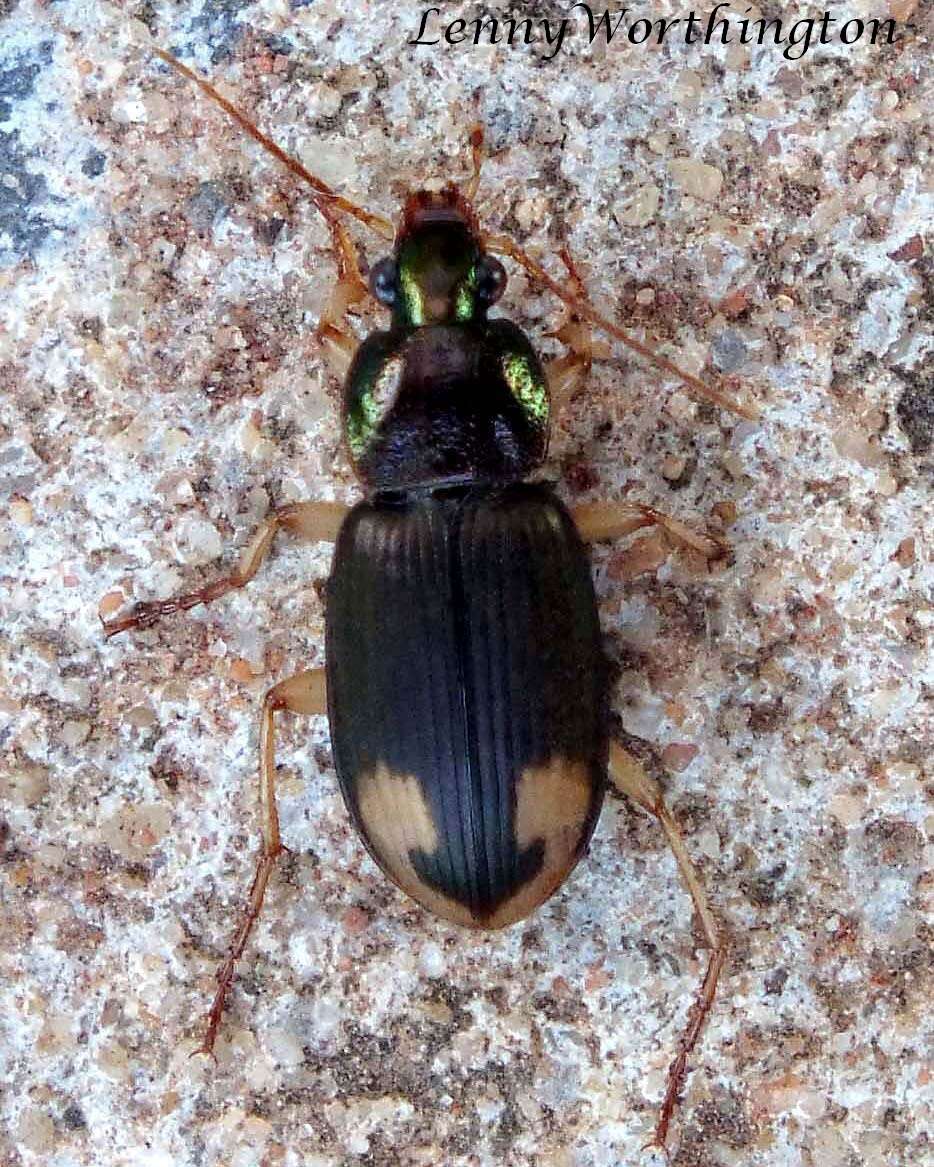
(465, 675)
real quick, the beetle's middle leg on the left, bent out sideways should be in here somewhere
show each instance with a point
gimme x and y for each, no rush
(313, 521)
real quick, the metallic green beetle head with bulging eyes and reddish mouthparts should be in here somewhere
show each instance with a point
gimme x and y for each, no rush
(438, 274)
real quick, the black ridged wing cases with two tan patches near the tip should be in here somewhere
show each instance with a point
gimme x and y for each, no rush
(466, 689)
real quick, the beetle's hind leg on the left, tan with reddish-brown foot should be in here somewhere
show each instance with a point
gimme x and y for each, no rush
(303, 694)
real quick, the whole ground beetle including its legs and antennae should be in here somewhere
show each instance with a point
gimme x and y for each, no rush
(466, 687)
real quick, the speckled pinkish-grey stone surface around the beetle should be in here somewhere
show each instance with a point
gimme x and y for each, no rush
(758, 219)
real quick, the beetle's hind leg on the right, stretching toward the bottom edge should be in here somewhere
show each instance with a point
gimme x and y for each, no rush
(630, 779)
